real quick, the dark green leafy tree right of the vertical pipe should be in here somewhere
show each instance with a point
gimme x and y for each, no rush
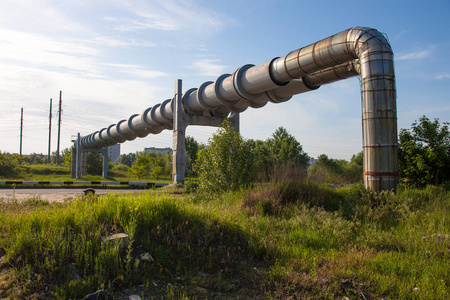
(424, 152)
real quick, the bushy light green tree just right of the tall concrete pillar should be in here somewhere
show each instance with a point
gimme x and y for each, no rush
(226, 163)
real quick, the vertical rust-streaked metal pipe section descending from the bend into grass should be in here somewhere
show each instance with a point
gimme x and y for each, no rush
(379, 112)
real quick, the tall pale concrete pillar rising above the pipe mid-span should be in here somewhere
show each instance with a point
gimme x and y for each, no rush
(179, 136)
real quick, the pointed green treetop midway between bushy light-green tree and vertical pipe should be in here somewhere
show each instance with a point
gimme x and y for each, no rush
(284, 148)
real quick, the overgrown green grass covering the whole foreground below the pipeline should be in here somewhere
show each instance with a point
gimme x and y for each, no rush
(278, 240)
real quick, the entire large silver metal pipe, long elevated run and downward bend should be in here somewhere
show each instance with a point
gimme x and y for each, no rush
(357, 51)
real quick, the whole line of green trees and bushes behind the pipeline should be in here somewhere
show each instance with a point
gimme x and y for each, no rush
(424, 158)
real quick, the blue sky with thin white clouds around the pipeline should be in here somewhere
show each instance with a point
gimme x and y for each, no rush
(115, 58)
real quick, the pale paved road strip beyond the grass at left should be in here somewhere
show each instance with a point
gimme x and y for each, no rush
(54, 194)
